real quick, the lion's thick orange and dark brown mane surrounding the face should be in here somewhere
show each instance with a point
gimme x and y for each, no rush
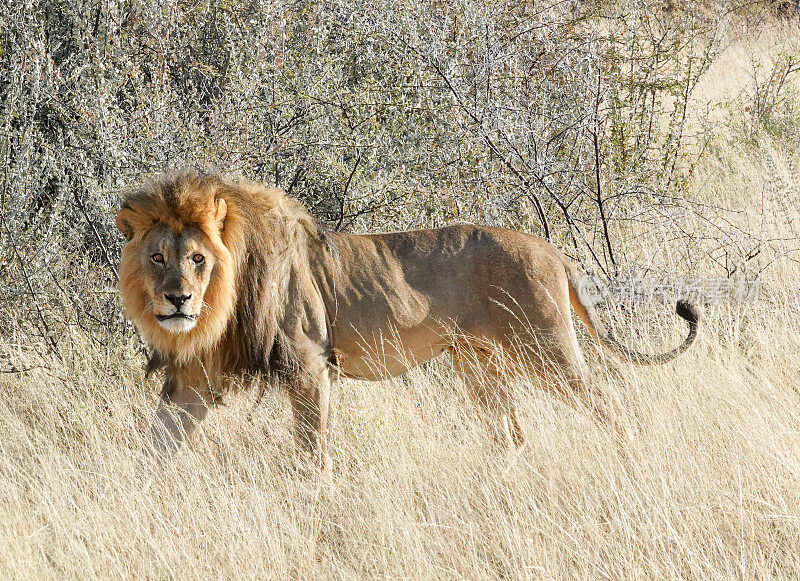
(264, 236)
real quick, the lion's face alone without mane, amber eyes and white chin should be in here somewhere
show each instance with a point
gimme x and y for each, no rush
(176, 270)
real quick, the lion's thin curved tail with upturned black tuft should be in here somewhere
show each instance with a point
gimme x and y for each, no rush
(592, 321)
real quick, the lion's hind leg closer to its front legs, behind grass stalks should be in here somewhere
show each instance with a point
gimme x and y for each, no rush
(481, 369)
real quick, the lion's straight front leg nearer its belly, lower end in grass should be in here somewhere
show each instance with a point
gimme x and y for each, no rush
(309, 395)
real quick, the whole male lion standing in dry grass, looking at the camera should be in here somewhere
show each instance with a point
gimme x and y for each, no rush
(230, 279)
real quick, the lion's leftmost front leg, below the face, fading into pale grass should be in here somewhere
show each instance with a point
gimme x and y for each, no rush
(181, 407)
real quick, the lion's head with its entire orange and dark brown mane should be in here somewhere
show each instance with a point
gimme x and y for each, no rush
(192, 242)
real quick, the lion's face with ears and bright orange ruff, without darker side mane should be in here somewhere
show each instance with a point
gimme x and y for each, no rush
(177, 274)
